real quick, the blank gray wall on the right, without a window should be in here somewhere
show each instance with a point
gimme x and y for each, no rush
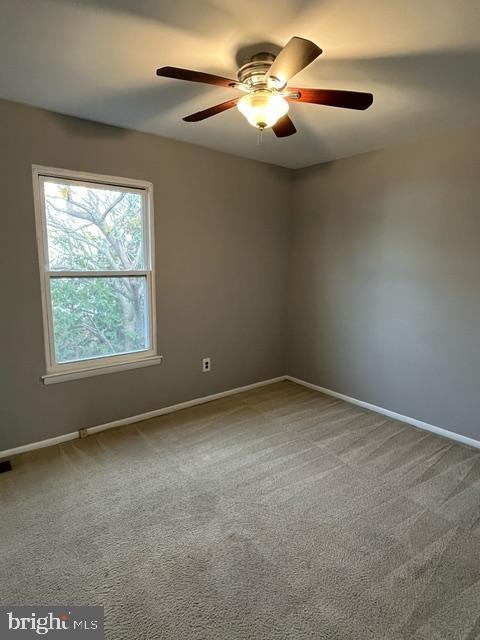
(385, 279)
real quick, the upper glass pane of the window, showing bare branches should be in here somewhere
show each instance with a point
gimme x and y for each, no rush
(93, 229)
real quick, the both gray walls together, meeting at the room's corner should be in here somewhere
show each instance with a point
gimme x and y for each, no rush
(384, 294)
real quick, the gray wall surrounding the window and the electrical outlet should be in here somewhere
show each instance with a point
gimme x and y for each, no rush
(221, 244)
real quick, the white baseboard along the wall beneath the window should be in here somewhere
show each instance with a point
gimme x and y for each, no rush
(138, 418)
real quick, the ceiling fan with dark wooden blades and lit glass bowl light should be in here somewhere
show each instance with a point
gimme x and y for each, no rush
(264, 80)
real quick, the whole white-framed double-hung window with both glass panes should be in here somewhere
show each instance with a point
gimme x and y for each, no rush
(95, 241)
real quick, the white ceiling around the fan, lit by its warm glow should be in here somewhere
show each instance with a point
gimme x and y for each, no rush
(97, 59)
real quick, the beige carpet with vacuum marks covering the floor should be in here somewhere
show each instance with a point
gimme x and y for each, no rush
(280, 513)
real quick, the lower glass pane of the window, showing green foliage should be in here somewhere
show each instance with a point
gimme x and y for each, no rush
(95, 317)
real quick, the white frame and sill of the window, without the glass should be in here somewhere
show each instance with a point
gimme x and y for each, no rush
(59, 372)
